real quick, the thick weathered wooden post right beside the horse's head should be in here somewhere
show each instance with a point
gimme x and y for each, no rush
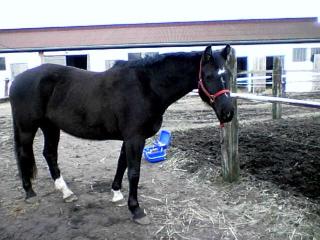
(229, 133)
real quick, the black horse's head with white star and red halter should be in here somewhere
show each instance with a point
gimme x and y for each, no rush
(214, 82)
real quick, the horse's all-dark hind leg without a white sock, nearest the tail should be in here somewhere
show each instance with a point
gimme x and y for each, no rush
(25, 158)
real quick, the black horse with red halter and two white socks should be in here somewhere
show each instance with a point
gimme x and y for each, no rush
(124, 103)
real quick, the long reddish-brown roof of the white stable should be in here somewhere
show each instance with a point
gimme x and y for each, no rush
(161, 34)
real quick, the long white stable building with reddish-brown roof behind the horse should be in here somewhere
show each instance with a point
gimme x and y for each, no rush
(96, 48)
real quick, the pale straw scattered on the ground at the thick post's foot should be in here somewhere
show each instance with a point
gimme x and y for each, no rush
(249, 209)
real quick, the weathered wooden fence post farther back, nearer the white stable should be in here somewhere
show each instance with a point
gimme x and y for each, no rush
(276, 87)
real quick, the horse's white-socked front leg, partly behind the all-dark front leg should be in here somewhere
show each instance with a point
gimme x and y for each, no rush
(117, 182)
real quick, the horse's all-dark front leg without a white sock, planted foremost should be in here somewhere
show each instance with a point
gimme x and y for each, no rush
(134, 148)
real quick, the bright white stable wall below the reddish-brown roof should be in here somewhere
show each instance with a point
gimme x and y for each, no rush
(97, 59)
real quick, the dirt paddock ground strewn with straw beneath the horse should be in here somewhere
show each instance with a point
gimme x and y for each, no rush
(277, 196)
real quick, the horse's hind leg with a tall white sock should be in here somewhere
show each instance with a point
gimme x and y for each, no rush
(50, 152)
